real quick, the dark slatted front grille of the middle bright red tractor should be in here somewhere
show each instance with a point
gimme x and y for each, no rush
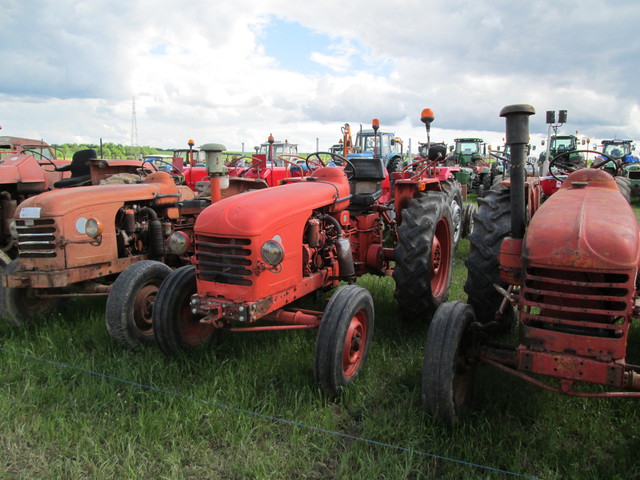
(224, 260)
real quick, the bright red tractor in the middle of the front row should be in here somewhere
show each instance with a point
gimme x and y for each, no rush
(257, 253)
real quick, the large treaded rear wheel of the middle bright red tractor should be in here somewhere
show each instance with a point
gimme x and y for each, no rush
(424, 254)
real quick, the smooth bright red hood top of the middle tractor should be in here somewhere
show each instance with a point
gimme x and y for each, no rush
(252, 213)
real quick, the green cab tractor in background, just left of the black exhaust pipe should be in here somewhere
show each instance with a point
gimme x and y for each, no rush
(475, 172)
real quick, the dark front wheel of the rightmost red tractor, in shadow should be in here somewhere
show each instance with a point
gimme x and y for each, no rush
(449, 368)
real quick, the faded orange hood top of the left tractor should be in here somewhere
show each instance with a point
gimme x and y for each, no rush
(63, 201)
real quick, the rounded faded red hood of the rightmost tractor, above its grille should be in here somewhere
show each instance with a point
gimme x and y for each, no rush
(587, 224)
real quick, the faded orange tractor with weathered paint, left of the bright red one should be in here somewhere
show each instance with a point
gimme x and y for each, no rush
(116, 240)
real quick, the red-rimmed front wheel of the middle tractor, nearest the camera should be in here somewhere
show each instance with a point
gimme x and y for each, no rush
(343, 339)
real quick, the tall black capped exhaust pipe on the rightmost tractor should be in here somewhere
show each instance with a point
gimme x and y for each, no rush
(517, 136)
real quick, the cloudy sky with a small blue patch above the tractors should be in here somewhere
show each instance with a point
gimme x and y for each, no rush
(232, 72)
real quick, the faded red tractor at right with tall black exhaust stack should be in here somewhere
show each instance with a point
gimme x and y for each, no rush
(570, 270)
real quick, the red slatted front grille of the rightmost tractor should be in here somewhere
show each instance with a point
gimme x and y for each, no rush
(580, 303)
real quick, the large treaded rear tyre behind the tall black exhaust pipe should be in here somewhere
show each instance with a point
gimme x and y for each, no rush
(492, 223)
